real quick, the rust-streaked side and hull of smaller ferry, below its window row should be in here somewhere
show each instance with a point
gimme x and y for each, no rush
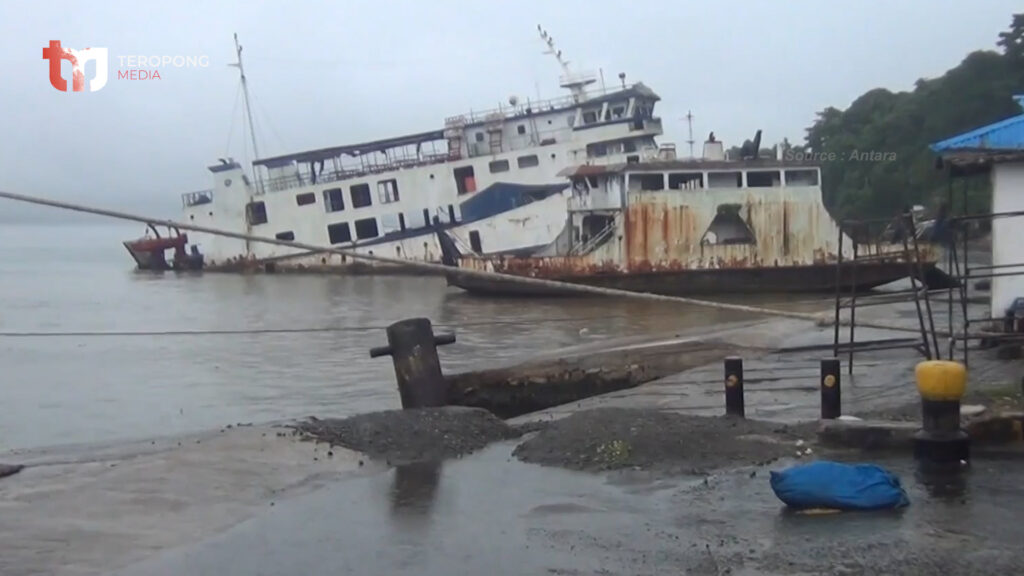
(662, 246)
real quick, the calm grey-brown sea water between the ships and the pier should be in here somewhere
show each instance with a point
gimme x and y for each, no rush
(57, 391)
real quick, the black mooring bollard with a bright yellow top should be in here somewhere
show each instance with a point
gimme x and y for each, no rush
(942, 442)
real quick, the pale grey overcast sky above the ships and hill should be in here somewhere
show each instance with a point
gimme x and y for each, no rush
(330, 73)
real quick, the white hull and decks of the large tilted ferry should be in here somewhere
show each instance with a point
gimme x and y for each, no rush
(472, 176)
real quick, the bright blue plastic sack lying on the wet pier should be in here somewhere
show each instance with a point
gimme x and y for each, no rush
(834, 485)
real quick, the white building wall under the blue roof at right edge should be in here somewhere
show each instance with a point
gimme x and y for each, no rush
(1008, 235)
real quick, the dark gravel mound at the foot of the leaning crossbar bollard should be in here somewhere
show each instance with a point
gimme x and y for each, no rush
(411, 436)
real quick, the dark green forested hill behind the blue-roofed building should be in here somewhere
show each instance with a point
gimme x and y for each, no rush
(901, 126)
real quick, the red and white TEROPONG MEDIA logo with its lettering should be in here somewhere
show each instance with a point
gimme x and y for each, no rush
(135, 67)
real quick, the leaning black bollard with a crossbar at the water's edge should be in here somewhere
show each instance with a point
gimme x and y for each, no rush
(413, 348)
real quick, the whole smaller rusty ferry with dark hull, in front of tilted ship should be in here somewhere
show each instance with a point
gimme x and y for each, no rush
(666, 228)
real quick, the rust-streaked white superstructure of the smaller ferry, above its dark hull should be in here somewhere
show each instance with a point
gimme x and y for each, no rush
(710, 200)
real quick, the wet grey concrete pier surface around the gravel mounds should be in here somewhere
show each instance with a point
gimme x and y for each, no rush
(250, 499)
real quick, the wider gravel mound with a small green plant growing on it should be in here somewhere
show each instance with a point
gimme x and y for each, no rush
(608, 439)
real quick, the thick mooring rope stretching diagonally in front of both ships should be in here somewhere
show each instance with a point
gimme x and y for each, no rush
(822, 319)
